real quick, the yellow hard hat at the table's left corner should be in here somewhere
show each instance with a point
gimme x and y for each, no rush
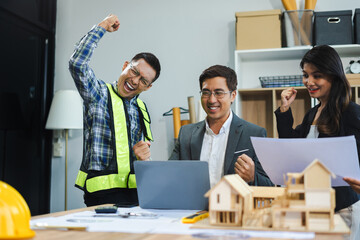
(14, 214)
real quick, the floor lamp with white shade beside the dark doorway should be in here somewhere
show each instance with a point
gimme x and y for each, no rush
(65, 114)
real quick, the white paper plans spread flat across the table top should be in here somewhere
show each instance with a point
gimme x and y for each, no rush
(167, 222)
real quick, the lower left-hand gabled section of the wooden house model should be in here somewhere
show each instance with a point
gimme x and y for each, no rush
(232, 202)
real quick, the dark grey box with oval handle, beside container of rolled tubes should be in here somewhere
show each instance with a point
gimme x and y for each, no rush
(333, 28)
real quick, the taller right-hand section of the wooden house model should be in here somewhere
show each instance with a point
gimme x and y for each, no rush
(309, 200)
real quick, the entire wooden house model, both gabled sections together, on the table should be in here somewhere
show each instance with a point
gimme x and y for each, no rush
(307, 202)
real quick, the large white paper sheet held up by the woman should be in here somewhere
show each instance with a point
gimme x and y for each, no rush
(280, 156)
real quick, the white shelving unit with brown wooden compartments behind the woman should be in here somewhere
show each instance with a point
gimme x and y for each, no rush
(256, 104)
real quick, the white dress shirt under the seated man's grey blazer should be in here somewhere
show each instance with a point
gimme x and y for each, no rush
(213, 150)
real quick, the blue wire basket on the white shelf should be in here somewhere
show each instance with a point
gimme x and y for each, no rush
(281, 81)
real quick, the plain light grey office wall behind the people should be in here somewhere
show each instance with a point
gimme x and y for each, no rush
(187, 36)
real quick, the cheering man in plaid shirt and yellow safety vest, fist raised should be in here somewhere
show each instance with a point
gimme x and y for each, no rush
(116, 122)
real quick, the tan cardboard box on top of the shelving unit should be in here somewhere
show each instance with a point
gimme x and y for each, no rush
(258, 29)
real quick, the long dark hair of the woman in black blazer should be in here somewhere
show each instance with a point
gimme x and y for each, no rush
(328, 62)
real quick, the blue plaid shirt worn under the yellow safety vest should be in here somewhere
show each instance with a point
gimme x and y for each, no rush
(98, 137)
